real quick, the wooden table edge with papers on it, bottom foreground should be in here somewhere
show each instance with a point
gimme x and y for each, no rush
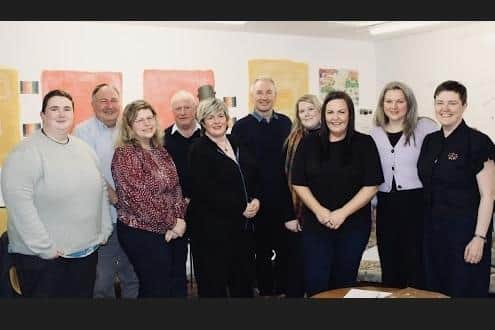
(396, 293)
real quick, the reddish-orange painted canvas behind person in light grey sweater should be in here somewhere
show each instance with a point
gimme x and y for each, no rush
(79, 84)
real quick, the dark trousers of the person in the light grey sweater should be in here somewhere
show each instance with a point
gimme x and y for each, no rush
(56, 278)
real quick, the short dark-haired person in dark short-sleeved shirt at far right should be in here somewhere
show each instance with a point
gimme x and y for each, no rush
(457, 170)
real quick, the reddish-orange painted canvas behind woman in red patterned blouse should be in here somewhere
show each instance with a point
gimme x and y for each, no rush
(160, 85)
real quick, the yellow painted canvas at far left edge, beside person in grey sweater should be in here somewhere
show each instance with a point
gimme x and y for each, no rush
(10, 133)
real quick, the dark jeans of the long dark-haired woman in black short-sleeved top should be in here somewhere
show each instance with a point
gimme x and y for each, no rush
(332, 257)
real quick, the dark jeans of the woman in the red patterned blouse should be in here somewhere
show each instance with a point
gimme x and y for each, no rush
(159, 266)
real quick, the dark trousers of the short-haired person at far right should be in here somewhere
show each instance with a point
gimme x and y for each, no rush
(446, 271)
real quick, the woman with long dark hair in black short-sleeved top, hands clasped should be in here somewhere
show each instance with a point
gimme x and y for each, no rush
(336, 173)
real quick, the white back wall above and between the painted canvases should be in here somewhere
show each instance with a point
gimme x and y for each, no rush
(31, 47)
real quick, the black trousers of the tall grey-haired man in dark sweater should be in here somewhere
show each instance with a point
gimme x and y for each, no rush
(271, 241)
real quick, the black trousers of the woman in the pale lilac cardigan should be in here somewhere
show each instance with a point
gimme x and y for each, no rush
(399, 233)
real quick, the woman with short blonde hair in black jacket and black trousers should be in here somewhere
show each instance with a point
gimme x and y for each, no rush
(223, 205)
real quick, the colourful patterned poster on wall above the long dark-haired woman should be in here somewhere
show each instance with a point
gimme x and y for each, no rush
(339, 79)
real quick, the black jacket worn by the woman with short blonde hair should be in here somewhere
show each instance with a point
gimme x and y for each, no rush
(219, 192)
